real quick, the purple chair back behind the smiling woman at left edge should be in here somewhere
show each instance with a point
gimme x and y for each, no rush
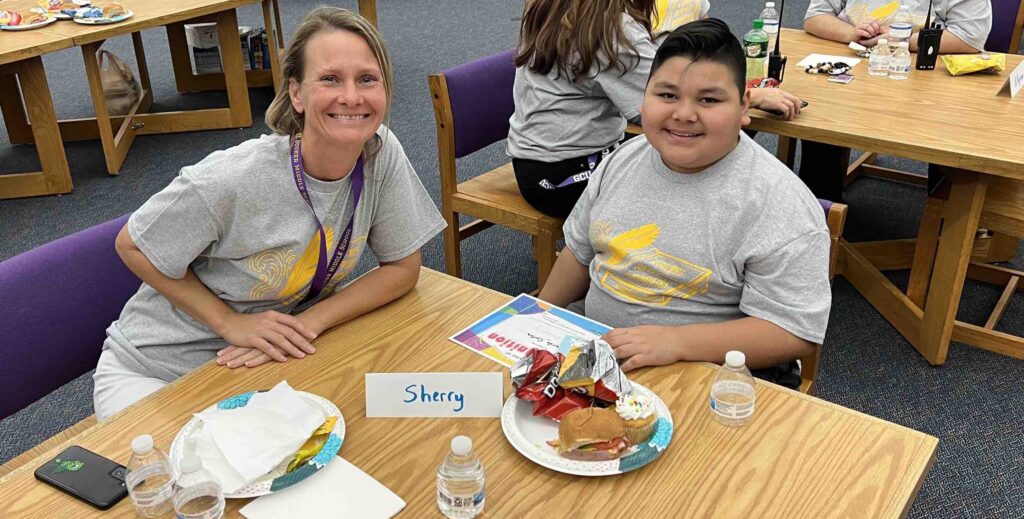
(56, 305)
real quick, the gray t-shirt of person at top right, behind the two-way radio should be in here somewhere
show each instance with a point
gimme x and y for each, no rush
(970, 21)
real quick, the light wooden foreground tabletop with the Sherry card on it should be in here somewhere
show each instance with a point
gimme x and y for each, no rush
(800, 456)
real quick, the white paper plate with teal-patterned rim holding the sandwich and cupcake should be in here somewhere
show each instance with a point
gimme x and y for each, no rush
(530, 435)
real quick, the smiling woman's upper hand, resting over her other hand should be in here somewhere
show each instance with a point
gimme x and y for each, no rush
(275, 334)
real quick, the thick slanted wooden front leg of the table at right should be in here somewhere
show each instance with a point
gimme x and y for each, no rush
(962, 214)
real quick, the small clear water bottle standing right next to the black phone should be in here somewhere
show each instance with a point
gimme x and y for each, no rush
(150, 479)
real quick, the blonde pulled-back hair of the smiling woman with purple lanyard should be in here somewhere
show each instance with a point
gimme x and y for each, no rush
(282, 117)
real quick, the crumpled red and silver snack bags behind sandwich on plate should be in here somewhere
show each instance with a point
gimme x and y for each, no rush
(559, 384)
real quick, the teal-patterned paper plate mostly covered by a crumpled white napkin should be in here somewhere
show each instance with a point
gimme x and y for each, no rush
(275, 481)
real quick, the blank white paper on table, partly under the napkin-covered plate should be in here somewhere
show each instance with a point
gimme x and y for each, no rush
(340, 490)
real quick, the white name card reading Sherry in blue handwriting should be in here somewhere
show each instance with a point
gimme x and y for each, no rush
(435, 395)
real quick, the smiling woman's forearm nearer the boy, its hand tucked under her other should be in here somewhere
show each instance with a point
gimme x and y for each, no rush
(377, 288)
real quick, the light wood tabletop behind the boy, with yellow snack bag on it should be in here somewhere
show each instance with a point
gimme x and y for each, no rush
(931, 117)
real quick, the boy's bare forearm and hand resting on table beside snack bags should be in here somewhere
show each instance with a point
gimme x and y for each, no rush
(764, 343)
